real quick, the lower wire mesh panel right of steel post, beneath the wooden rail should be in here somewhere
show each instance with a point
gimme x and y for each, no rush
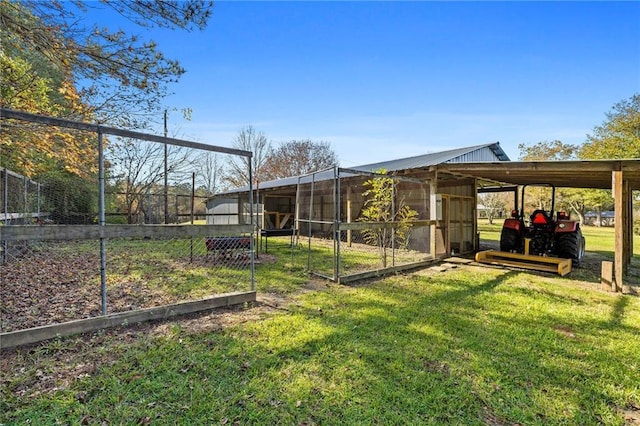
(159, 271)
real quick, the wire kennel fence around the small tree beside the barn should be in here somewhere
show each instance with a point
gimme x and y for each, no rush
(355, 224)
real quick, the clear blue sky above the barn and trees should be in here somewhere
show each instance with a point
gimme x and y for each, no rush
(385, 80)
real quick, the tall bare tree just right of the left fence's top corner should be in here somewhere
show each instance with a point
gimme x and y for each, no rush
(248, 139)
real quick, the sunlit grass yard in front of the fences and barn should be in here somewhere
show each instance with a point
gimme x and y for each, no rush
(457, 344)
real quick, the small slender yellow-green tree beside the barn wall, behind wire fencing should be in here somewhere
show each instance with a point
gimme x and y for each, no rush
(381, 206)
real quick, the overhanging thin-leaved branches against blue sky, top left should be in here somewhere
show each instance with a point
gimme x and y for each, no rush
(122, 74)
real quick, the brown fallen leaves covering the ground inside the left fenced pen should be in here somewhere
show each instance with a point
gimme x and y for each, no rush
(52, 286)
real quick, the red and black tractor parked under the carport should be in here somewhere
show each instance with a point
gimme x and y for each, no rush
(548, 234)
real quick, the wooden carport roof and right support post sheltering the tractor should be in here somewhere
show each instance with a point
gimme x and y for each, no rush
(621, 176)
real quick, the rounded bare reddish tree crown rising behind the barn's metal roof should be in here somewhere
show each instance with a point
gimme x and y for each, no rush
(299, 157)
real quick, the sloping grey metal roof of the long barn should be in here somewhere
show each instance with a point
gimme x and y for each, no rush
(494, 152)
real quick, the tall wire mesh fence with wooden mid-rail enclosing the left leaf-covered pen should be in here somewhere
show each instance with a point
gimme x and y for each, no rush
(126, 231)
